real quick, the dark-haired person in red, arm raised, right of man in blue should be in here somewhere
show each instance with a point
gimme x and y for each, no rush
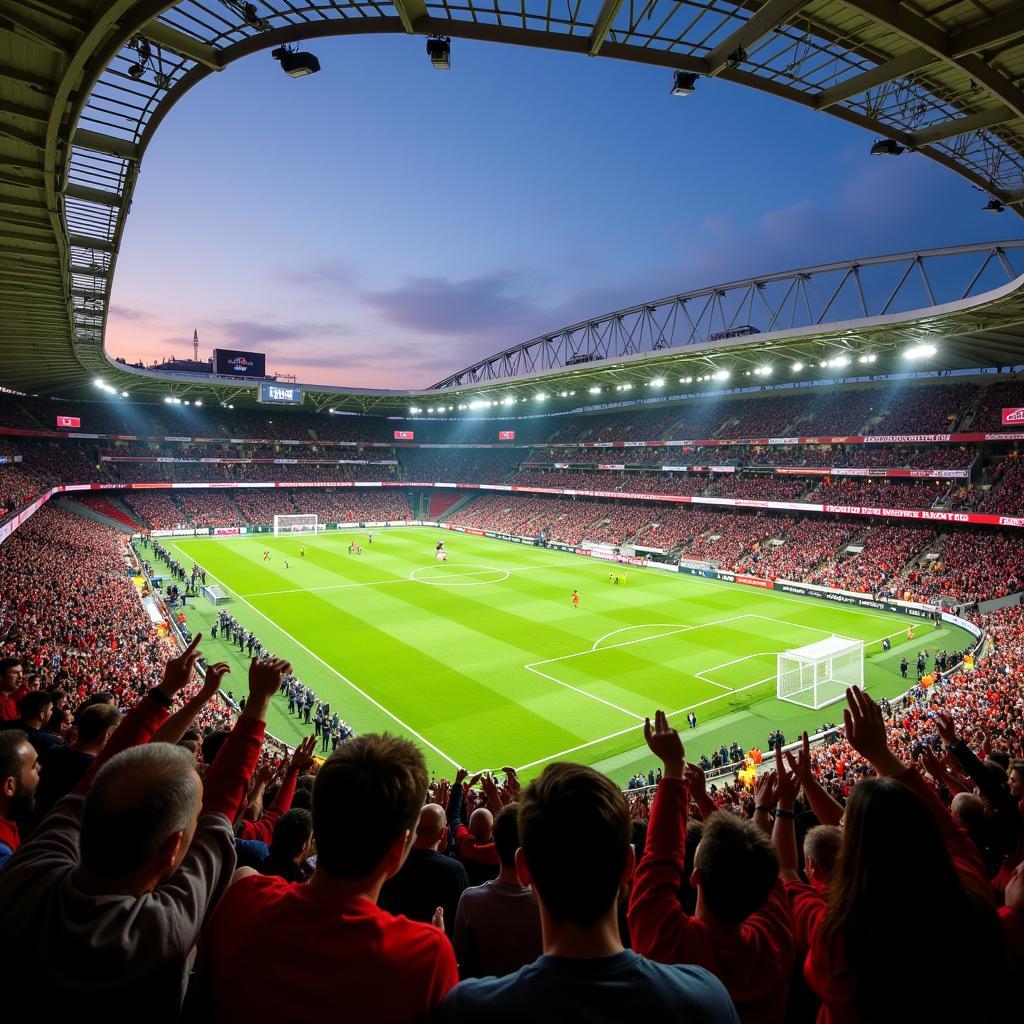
(742, 930)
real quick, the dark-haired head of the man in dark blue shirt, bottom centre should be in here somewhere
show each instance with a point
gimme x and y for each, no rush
(573, 808)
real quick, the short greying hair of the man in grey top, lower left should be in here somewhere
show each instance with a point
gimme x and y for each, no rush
(139, 800)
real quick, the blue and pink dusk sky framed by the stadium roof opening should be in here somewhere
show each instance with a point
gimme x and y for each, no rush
(383, 225)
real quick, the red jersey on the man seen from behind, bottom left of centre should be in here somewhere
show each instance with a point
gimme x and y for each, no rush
(315, 949)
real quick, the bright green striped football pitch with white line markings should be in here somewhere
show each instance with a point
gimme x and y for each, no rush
(486, 663)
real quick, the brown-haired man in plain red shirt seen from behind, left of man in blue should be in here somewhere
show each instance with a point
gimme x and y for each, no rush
(327, 943)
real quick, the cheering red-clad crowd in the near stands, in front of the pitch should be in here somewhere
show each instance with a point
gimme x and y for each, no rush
(174, 855)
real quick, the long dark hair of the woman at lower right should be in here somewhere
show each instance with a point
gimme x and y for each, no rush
(891, 834)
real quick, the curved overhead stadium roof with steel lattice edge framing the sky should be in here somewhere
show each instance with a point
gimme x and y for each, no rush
(84, 86)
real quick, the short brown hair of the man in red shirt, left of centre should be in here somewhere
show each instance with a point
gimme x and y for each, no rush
(387, 779)
